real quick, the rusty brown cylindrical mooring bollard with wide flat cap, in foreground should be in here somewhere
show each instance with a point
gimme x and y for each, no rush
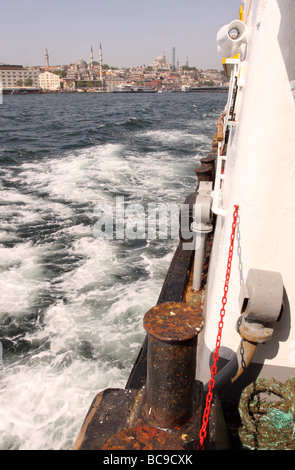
(171, 362)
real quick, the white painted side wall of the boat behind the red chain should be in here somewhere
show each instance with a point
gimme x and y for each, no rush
(259, 177)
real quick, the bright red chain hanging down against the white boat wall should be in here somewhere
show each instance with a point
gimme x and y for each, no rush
(203, 430)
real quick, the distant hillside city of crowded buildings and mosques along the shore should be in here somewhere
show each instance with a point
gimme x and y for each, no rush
(96, 76)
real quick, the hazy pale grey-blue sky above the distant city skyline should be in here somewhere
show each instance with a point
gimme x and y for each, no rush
(132, 32)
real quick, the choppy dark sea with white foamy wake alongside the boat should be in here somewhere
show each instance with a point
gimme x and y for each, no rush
(72, 303)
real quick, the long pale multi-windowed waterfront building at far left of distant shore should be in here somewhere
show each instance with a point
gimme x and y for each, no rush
(17, 76)
